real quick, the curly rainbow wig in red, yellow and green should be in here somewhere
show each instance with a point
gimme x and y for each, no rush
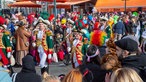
(98, 37)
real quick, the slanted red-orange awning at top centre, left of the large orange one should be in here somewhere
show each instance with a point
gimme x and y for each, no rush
(67, 5)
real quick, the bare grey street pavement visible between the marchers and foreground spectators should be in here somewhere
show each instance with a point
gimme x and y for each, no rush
(54, 69)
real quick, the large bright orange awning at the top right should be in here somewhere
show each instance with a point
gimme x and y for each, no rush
(118, 5)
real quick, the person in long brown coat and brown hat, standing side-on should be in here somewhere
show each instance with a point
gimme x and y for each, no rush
(22, 40)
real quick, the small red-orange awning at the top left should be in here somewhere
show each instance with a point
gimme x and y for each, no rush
(24, 4)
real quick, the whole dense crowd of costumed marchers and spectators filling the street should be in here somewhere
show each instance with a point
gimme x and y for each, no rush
(102, 47)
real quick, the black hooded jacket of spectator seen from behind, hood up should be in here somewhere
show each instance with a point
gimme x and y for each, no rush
(28, 72)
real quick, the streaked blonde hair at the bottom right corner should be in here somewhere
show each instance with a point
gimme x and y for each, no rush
(125, 75)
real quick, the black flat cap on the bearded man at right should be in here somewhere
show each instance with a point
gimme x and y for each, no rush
(127, 44)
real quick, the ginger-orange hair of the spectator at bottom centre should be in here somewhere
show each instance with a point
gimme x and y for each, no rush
(73, 76)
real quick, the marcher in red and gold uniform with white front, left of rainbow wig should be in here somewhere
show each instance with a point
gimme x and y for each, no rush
(76, 50)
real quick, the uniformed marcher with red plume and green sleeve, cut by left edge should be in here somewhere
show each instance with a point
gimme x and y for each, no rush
(5, 46)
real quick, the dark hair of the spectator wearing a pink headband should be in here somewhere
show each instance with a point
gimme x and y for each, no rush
(91, 51)
